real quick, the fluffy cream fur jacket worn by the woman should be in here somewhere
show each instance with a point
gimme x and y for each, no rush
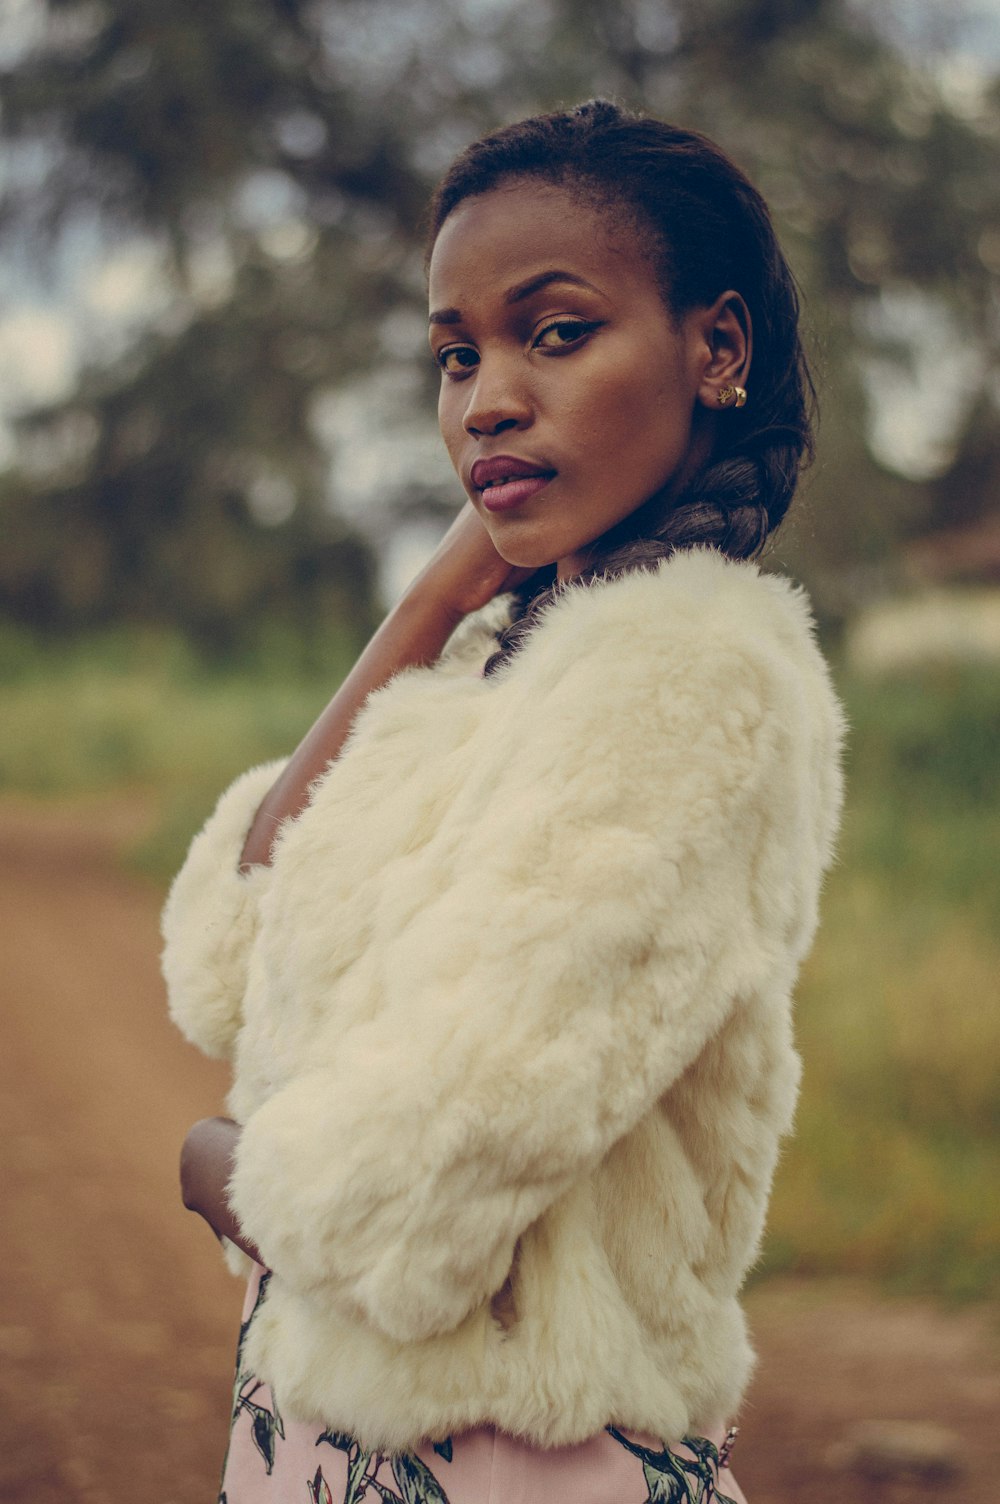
(514, 1001)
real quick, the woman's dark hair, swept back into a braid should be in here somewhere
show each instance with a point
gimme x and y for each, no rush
(708, 231)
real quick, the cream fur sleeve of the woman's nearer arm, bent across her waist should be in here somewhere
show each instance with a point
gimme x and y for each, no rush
(511, 920)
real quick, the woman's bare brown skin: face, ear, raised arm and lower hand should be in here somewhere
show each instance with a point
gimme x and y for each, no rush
(592, 377)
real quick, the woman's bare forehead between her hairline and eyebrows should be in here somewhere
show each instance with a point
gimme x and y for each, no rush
(520, 231)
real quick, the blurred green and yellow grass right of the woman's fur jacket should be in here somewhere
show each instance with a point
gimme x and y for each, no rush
(898, 1144)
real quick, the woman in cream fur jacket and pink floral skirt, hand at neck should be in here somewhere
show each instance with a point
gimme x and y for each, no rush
(505, 954)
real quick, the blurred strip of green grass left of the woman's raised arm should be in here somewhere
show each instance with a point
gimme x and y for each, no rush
(145, 712)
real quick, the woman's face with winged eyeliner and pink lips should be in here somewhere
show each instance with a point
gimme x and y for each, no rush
(568, 390)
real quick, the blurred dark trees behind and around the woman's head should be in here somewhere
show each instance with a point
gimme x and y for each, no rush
(280, 153)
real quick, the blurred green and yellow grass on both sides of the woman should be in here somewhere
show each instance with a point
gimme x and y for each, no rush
(894, 1169)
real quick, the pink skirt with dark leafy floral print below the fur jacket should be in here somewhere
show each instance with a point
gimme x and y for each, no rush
(274, 1460)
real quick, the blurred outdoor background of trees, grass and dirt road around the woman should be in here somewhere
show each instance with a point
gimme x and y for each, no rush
(219, 462)
